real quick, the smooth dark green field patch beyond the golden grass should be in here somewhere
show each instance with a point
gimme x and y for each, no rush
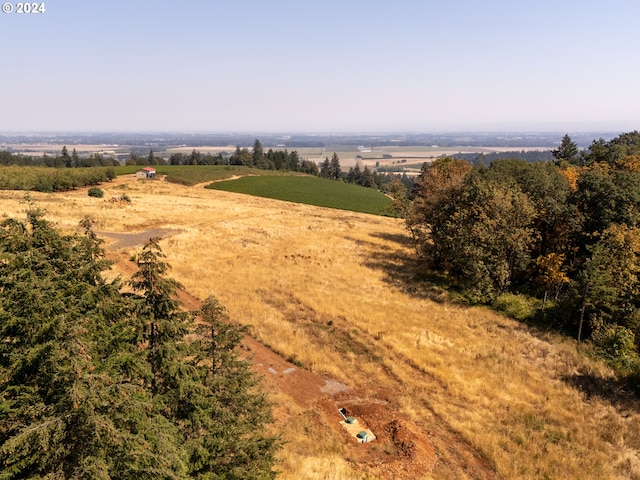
(310, 190)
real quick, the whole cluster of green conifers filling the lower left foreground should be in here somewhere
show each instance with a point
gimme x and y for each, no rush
(99, 383)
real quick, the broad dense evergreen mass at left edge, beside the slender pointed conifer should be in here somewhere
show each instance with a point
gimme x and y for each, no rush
(71, 406)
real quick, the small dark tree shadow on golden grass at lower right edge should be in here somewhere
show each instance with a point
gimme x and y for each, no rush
(617, 392)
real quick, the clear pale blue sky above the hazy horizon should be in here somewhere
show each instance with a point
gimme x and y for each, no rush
(324, 66)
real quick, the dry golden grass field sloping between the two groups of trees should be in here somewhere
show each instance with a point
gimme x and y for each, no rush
(450, 392)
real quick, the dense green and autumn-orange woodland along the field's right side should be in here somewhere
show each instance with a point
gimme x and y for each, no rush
(566, 231)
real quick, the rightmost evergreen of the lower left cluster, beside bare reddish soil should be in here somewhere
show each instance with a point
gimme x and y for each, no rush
(230, 410)
